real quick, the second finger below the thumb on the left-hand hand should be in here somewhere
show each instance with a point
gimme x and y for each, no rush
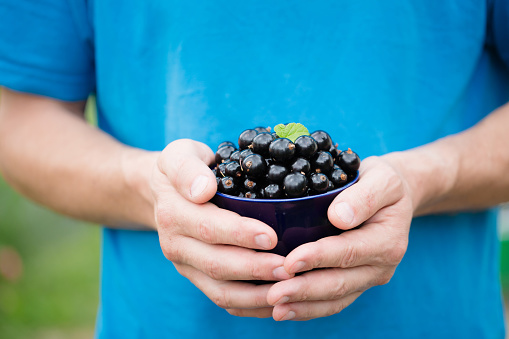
(224, 262)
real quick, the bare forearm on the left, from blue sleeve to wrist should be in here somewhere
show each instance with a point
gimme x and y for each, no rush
(51, 155)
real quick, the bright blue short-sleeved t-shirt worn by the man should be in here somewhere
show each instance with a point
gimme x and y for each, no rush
(380, 76)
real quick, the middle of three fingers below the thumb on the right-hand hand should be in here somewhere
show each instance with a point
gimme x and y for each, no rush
(328, 284)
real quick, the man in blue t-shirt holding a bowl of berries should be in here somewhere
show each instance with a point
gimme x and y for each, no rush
(381, 77)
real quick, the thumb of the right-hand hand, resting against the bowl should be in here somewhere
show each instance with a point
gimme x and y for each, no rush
(379, 186)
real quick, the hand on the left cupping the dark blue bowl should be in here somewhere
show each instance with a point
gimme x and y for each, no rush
(212, 247)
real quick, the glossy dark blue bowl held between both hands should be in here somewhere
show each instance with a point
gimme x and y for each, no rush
(296, 221)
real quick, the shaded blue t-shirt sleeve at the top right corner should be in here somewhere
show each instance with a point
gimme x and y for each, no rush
(498, 28)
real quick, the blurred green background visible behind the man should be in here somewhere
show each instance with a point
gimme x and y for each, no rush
(49, 269)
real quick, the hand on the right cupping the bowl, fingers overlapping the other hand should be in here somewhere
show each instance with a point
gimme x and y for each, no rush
(355, 260)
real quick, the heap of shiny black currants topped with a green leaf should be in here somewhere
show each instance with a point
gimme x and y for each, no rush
(268, 165)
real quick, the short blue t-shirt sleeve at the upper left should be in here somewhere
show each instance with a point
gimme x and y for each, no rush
(46, 48)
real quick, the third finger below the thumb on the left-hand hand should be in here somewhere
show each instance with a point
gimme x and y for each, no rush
(228, 294)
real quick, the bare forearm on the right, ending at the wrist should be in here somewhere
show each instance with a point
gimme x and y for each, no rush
(465, 171)
